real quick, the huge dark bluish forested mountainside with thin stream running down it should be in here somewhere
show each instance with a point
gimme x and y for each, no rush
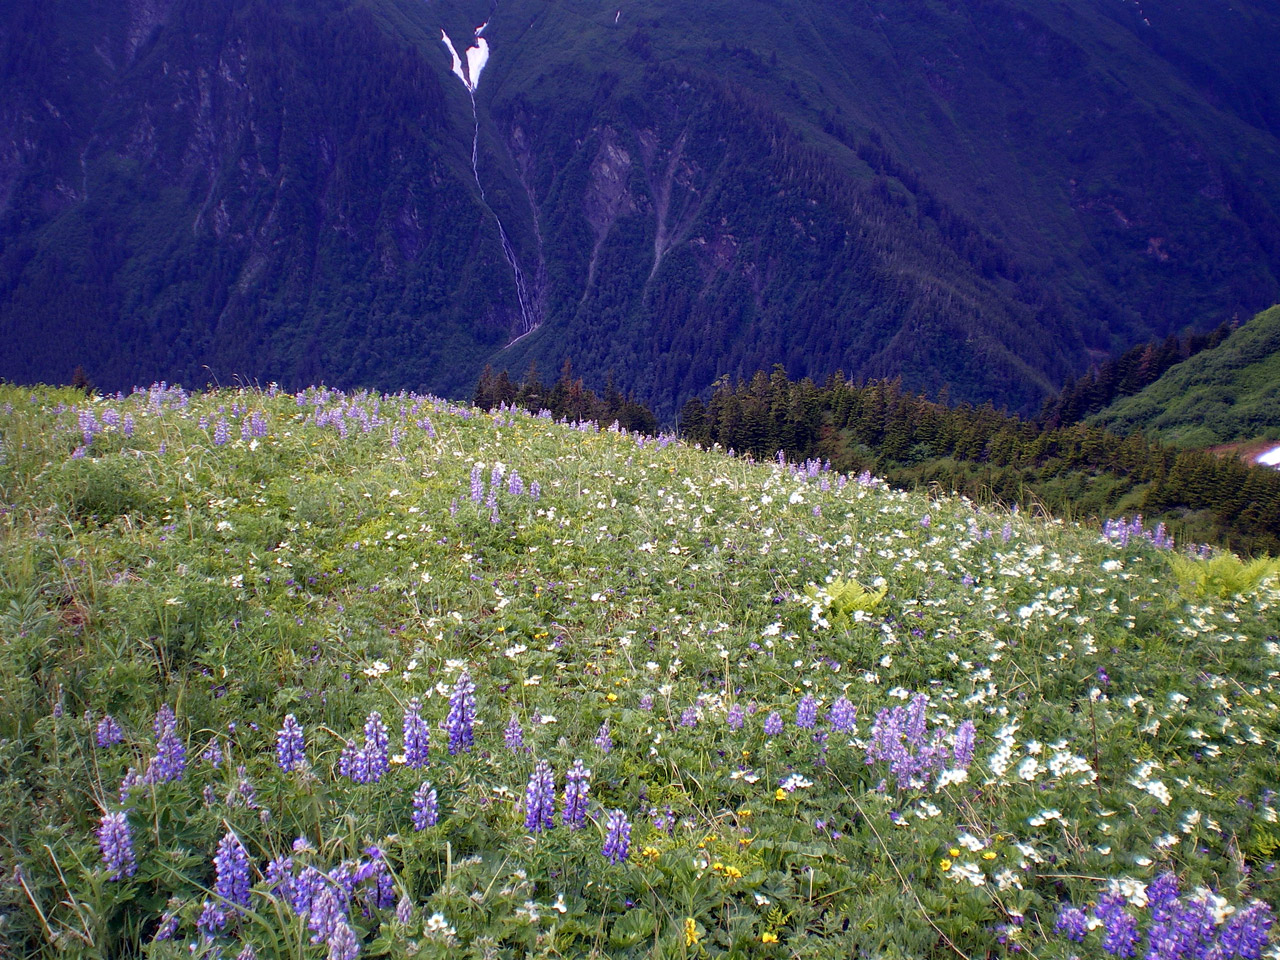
(977, 198)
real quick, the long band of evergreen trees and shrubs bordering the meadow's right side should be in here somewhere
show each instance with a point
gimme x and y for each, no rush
(1076, 470)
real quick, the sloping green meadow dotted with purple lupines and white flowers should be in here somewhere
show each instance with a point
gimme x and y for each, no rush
(344, 675)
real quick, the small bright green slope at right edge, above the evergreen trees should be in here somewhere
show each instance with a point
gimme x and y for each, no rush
(1226, 395)
